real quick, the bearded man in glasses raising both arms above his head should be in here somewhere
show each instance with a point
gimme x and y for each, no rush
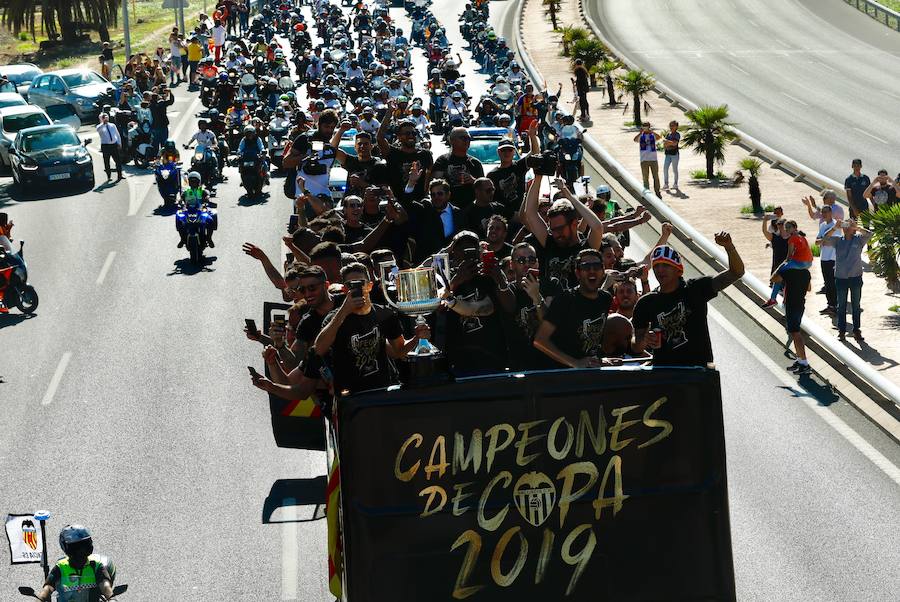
(558, 238)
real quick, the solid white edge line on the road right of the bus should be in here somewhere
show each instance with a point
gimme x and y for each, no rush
(854, 438)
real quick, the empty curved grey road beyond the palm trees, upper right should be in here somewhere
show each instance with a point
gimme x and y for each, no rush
(814, 79)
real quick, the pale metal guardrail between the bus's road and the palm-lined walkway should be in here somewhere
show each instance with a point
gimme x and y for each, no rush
(825, 339)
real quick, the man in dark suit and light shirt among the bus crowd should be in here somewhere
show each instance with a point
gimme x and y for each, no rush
(433, 220)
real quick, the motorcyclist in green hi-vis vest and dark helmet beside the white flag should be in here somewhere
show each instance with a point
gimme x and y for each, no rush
(81, 576)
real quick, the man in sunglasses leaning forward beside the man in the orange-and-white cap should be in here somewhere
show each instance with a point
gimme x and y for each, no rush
(572, 332)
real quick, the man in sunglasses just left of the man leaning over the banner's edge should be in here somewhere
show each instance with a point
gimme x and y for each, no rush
(533, 297)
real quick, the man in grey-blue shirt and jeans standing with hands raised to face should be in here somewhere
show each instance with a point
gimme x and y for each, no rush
(848, 271)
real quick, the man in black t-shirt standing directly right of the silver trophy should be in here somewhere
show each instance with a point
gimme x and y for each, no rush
(474, 332)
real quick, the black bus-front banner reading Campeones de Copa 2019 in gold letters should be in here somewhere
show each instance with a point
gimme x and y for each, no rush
(563, 485)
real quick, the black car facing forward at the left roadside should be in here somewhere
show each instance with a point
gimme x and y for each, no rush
(50, 153)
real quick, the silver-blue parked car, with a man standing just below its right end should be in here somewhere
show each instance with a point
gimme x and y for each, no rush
(81, 88)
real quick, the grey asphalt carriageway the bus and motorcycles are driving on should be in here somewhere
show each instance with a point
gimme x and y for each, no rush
(155, 437)
